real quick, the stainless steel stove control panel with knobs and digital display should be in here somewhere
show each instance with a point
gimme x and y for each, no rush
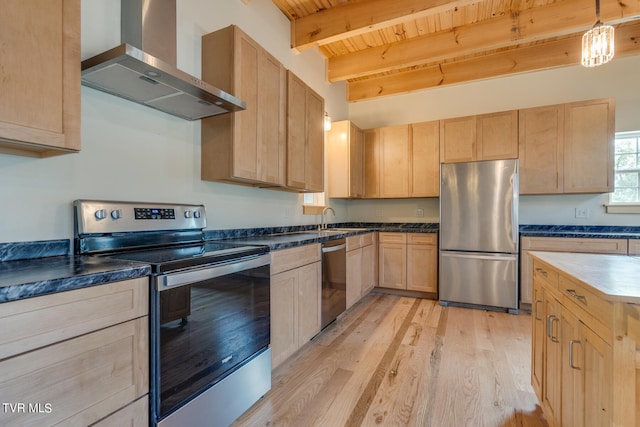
(94, 216)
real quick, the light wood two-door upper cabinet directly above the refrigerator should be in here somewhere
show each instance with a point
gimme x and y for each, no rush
(484, 137)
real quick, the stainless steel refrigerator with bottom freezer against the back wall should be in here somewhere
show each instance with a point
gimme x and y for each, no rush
(479, 234)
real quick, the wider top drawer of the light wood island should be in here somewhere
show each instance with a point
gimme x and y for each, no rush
(576, 294)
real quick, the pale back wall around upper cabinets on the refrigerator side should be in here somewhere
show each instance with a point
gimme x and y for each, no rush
(617, 79)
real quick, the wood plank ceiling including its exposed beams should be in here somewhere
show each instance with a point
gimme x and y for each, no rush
(386, 47)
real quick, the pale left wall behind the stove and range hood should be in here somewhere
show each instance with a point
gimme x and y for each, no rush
(130, 152)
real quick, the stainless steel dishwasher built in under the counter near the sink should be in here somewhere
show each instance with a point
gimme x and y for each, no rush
(334, 280)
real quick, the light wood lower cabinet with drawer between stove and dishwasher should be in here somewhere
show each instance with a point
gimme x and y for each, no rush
(295, 299)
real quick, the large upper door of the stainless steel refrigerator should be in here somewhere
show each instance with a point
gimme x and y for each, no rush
(479, 206)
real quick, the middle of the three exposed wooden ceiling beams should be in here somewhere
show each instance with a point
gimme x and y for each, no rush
(560, 18)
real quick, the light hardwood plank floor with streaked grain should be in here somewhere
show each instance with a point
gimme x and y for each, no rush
(399, 361)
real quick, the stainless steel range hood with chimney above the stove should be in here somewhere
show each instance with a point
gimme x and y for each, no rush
(143, 68)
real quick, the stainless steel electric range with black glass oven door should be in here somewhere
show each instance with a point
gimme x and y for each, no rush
(209, 307)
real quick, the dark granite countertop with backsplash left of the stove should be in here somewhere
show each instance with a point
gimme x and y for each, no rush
(41, 268)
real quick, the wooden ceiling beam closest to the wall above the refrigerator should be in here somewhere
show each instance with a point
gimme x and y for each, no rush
(539, 56)
